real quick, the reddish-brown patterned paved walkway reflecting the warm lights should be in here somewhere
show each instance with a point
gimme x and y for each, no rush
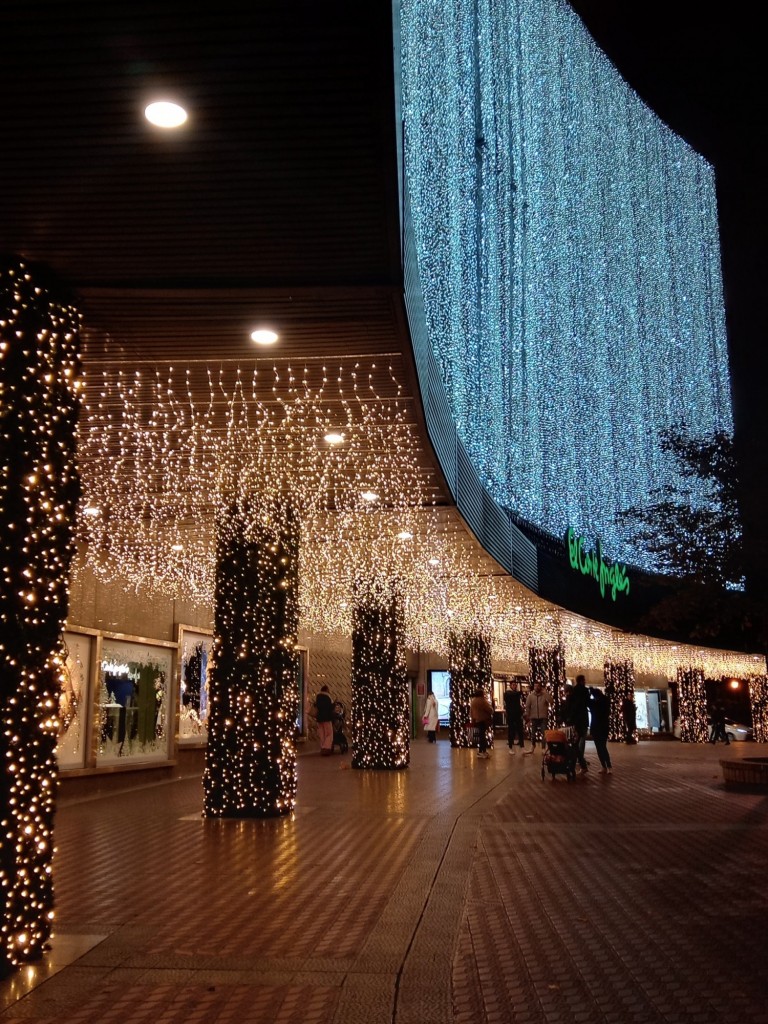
(457, 891)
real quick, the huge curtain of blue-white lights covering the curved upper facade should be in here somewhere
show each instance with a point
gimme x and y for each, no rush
(569, 257)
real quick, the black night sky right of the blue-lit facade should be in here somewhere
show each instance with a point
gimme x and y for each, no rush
(702, 69)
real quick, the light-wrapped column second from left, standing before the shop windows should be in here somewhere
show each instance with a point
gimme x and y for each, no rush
(253, 682)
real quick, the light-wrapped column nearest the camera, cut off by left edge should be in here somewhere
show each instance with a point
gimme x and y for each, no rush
(39, 491)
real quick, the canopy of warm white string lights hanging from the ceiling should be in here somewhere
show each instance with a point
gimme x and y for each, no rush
(157, 462)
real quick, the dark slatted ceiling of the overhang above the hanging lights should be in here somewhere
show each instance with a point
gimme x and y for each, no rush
(277, 203)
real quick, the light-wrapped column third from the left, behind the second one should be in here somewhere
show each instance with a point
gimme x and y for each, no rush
(381, 737)
